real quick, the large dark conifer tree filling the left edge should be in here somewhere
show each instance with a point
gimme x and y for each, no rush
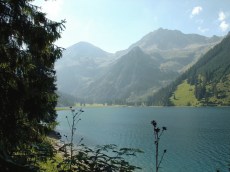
(27, 75)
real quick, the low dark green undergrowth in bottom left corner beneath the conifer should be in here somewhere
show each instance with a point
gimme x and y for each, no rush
(28, 157)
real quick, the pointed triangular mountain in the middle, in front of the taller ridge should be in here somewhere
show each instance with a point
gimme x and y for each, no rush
(132, 75)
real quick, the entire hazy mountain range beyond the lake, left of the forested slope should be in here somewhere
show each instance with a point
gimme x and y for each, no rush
(93, 75)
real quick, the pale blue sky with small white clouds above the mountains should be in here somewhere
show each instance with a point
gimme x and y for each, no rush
(114, 25)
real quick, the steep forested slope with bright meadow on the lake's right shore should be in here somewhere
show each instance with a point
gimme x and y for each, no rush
(205, 83)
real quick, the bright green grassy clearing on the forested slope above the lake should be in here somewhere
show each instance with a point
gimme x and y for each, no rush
(184, 95)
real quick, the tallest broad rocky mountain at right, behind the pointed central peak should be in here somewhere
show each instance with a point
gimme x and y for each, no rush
(176, 50)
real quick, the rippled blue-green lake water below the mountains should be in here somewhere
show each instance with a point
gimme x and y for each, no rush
(197, 139)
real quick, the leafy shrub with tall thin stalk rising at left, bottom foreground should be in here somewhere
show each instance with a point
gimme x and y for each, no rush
(100, 158)
